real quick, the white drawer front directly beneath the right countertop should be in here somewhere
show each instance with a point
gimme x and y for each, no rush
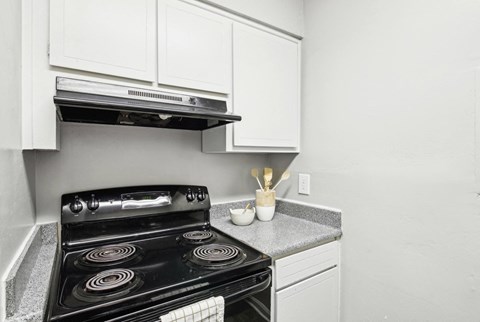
(300, 266)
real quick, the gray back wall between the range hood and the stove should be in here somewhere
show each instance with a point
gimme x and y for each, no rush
(102, 156)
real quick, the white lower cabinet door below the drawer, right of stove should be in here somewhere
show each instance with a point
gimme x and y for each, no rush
(312, 300)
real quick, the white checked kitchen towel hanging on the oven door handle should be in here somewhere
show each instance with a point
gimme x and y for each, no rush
(209, 310)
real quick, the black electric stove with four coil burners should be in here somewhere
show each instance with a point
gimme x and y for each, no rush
(135, 253)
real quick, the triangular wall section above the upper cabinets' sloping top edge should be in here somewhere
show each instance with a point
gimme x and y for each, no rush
(283, 14)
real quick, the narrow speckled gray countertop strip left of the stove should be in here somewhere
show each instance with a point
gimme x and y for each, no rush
(27, 284)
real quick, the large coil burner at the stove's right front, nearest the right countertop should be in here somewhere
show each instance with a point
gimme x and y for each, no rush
(217, 256)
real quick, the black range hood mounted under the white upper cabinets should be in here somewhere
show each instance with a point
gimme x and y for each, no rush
(101, 103)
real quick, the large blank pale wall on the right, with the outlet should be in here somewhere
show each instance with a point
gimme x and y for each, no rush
(389, 138)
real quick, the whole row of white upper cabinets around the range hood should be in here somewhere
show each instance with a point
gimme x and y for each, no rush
(179, 45)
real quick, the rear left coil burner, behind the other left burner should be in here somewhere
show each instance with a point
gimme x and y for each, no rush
(109, 255)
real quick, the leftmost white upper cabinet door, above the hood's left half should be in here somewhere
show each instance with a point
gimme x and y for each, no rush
(114, 37)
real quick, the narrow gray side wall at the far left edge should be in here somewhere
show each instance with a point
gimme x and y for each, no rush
(16, 168)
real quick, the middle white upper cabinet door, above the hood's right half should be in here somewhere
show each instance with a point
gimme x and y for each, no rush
(194, 47)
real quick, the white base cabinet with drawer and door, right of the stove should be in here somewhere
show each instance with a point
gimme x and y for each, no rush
(307, 285)
